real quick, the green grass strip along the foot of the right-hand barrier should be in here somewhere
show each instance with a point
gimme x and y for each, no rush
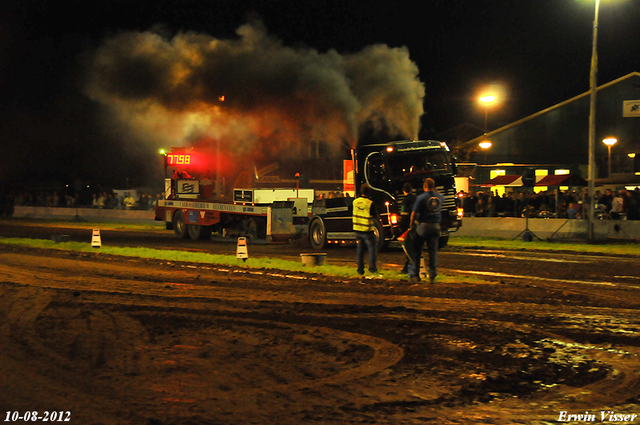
(519, 244)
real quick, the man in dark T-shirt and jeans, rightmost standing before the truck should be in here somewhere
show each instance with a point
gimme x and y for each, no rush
(427, 213)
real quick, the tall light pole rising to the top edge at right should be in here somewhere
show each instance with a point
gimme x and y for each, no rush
(592, 127)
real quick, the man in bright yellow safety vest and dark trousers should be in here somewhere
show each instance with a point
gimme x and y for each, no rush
(364, 212)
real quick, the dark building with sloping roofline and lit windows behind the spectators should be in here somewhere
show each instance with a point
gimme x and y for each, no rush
(555, 140)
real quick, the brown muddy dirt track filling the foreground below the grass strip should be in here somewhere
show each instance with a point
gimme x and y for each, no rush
(126, 341)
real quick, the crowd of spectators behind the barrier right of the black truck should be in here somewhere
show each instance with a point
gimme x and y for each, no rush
(618, 204)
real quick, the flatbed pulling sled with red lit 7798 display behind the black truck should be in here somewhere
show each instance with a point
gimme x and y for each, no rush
(195, 203)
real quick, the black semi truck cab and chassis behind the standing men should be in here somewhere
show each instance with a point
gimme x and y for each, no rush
(386, 168)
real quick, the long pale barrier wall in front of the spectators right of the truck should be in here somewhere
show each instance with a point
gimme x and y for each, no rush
(510, 228)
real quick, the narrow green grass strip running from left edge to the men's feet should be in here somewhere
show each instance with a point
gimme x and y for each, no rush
(223, 260)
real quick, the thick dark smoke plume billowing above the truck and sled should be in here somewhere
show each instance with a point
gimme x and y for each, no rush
(170, 90)
